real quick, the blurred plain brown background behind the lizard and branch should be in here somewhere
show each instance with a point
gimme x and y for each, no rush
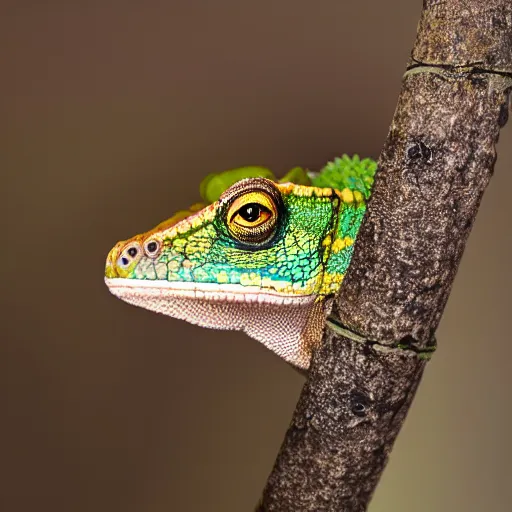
(111, 113)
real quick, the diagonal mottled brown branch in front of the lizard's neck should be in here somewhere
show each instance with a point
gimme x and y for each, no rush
(437, 160)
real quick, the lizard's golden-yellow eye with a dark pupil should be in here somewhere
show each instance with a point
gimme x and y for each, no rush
(252, 217)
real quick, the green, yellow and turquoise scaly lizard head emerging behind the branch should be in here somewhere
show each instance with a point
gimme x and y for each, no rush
(260, 255)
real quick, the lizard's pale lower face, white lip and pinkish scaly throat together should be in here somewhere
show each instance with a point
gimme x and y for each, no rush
(290, 326)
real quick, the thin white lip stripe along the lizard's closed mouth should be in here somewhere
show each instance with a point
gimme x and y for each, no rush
(207, 291)
